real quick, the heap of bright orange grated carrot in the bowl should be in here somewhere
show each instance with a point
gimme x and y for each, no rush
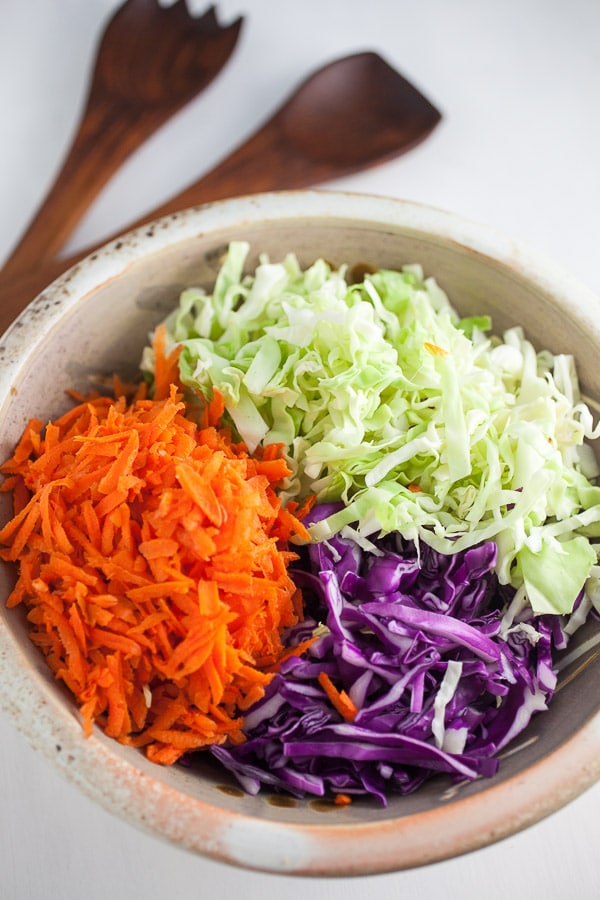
(152, 559)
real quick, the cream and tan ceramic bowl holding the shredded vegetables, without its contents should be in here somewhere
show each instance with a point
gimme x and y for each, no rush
(95, 319)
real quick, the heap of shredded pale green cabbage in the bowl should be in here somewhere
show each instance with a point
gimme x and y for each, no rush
(419, 421)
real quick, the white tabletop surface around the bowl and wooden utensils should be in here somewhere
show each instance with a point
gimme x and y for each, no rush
(518, 83)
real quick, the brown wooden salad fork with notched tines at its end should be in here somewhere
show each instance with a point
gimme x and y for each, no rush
(151, 61)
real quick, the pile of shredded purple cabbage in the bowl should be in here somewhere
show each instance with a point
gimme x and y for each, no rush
(417, 641)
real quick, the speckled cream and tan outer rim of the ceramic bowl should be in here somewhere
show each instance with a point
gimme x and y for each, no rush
(387, 845)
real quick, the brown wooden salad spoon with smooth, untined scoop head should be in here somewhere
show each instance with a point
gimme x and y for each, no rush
(350, 115)
